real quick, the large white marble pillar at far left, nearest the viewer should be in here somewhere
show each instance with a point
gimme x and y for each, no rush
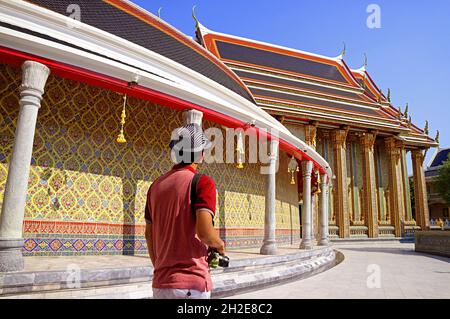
(34, 77)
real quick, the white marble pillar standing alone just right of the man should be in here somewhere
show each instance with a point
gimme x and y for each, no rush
(269, 246)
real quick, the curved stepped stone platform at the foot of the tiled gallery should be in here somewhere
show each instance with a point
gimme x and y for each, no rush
(130, 276)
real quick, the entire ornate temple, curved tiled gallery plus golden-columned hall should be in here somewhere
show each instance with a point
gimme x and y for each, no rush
(90, 91)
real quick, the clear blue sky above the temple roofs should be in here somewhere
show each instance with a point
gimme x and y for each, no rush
(410, 53)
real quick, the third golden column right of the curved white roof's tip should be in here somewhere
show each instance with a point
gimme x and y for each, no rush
(394, 150)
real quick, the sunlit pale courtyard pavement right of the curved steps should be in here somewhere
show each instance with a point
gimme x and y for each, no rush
(403, 273)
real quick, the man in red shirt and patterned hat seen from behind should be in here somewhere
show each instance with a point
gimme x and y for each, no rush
(179, 232)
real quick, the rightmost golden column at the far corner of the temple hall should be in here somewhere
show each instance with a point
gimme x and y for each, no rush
(420, 190)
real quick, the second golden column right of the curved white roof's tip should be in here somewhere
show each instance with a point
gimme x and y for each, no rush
(370, 205)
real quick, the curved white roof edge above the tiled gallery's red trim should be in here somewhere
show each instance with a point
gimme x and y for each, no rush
(162, 74)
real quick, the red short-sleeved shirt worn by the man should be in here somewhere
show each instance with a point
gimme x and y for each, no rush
(180, 256)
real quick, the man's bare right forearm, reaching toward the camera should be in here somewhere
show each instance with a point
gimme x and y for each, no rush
(206, 232)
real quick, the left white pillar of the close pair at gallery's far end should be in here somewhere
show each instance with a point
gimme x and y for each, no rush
(306, 243)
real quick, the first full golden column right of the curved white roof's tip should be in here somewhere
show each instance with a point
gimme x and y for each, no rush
(340, 186)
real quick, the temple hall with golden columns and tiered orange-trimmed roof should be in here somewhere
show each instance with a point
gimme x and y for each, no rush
(344, 116)
